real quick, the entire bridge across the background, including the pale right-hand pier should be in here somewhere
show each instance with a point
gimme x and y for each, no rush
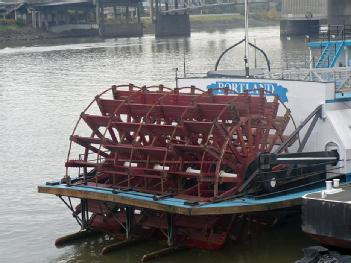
(118, 18)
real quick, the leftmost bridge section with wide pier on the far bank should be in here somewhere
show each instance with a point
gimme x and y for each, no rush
(107, 18)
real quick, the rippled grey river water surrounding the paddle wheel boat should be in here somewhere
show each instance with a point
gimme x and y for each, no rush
(43, 89)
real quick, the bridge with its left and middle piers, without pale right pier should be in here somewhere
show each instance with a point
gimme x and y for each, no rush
(113, 18)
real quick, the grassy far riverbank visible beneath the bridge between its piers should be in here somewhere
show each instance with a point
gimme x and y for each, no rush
(12, 34)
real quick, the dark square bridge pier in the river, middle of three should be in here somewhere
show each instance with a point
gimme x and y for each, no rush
(172, 25)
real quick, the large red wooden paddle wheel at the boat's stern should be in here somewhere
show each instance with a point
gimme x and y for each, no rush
(186, 143)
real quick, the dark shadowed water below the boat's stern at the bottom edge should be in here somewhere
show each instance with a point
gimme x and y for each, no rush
(280, 244)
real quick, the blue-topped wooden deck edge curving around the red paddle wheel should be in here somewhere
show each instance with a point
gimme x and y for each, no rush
(176, 205)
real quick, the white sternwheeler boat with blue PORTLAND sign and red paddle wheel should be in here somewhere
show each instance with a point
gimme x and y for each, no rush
(193, 163)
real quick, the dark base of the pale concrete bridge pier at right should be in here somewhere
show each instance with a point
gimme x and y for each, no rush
(299, 27)
